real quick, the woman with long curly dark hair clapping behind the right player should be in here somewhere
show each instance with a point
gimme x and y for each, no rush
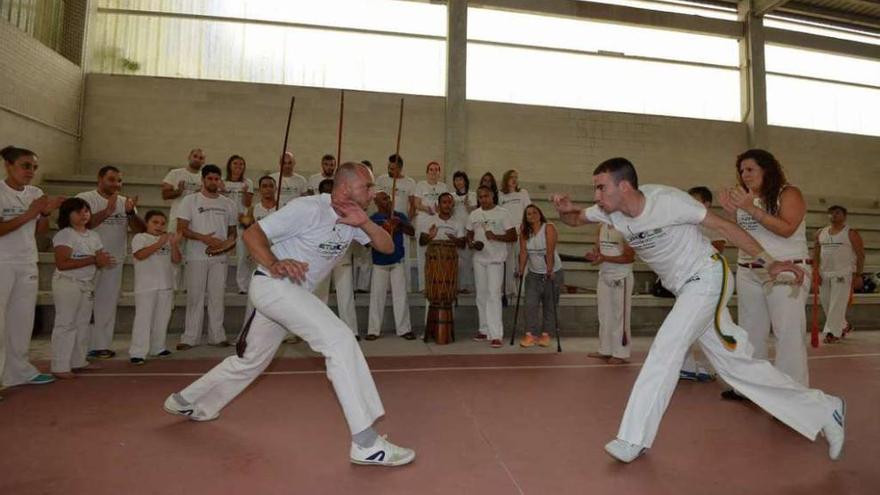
(773, 212)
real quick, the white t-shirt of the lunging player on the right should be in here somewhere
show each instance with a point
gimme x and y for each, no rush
(665, 235)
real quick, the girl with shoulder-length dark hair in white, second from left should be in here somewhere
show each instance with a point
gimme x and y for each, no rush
(79, 254)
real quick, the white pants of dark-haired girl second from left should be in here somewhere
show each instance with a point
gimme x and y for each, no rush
(73, 308)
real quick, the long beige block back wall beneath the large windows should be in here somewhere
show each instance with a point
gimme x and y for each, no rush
(143, 120)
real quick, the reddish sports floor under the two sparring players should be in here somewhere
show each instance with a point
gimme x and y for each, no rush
(503, 423)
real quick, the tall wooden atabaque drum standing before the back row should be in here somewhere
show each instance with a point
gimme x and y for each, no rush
(441, 289)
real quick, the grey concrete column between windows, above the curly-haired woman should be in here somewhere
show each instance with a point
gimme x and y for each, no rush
(753, 77)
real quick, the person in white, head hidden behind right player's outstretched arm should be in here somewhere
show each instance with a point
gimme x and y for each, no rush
(613, 294)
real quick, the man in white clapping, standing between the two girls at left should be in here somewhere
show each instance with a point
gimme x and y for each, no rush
(113, 215)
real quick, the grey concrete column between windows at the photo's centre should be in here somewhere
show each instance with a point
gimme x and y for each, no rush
(456, 87)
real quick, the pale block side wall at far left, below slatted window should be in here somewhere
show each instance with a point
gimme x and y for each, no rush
(39, 100)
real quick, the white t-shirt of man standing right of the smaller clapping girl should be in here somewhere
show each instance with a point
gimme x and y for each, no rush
(211, 216)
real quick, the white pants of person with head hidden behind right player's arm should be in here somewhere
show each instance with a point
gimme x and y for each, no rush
(614, 301)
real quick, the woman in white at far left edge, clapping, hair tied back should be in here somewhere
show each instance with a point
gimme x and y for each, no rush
(24, 211)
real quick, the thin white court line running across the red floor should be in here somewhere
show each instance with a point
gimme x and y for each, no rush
(443, 368)
